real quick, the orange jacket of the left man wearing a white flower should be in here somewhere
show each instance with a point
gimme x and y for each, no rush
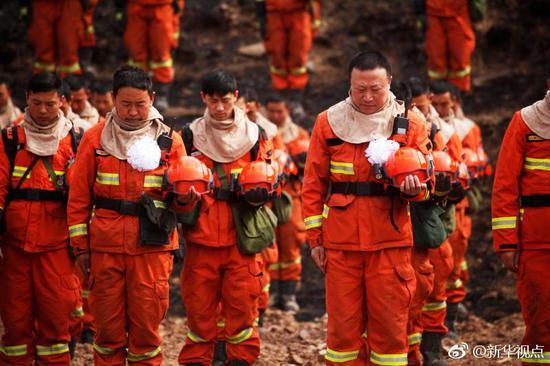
(102, 175)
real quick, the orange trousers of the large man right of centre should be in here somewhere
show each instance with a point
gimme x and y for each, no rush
(368, 295)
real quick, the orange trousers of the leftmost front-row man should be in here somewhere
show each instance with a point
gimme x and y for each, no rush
(39, 299)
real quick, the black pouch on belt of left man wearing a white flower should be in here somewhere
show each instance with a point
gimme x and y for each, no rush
(156, 225)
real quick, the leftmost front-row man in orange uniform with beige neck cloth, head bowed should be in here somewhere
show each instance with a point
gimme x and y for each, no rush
(40, 291)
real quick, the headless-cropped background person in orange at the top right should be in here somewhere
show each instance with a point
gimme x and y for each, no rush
(450, 42)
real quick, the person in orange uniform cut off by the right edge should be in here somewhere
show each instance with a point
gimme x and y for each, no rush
(520, 214)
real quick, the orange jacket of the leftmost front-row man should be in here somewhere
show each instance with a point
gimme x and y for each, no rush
(34, 225)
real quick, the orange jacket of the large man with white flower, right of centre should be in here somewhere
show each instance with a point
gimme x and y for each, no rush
(345, 221)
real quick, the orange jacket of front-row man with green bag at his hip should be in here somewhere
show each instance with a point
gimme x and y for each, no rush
(215, 227)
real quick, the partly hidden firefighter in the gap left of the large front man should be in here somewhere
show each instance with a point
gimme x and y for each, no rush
(286, 273)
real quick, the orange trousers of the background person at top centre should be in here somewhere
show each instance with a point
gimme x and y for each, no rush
(288, 42)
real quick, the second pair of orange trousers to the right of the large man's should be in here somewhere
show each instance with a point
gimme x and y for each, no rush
(435, 308)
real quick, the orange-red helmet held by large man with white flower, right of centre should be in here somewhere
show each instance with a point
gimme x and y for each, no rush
(407, 161)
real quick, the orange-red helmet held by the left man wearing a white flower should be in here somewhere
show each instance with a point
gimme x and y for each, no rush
(189, 172)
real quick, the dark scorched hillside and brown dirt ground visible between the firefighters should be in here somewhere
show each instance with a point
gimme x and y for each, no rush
(508, 73)
